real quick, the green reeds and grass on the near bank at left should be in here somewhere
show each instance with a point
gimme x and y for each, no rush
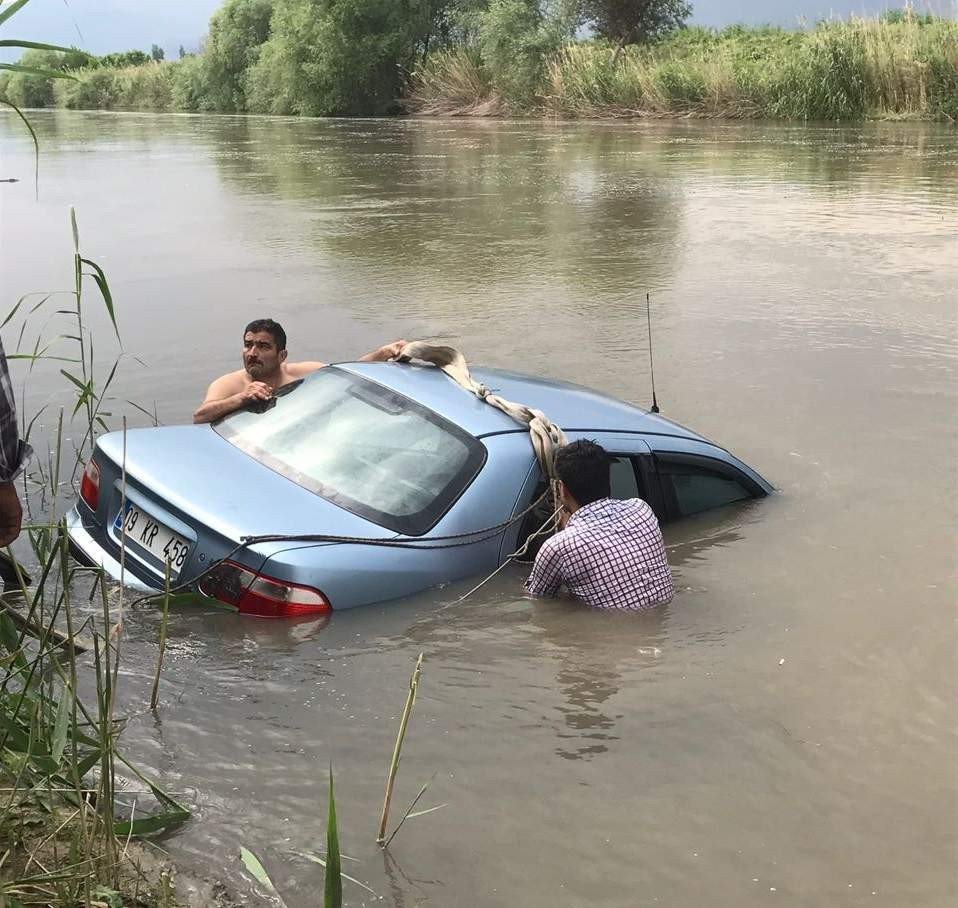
(64, 839)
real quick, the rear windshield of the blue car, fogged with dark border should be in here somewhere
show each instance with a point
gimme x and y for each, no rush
(362, 447)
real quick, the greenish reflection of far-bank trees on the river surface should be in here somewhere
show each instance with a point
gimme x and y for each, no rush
(483, 204)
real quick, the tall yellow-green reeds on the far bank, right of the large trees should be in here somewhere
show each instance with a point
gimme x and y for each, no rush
(849, 70)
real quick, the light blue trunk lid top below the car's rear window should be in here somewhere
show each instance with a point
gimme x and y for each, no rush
(197, 472)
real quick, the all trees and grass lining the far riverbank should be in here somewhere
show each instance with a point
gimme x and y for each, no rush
(501, 57)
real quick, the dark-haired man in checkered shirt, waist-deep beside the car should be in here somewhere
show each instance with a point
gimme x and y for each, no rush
(610, 553)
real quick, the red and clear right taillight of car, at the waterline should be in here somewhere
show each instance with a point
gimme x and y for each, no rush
(257, 594)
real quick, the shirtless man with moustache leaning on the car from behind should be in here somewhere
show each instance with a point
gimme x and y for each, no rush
(265, 370)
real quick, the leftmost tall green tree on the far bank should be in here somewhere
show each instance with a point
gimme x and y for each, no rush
(238, 30)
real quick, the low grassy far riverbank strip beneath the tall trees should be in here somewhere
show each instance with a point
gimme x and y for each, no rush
(846, 71)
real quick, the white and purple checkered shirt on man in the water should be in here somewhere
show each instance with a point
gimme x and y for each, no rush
(610, 555)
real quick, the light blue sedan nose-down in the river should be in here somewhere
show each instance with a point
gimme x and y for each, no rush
(414, 478)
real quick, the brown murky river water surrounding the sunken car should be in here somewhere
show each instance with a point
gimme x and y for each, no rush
(804, 283)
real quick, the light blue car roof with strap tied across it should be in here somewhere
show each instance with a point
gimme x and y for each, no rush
(572, 407)
